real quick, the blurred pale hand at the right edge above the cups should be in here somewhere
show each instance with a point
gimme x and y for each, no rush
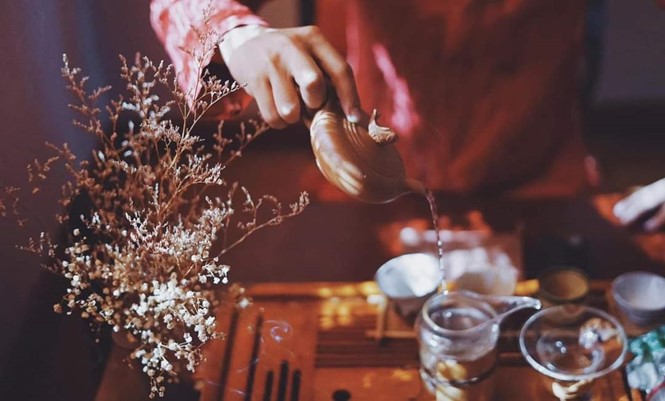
(641, 201)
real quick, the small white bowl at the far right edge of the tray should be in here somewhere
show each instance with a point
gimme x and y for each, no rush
(640, 296)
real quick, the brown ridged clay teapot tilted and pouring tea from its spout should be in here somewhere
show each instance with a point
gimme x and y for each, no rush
(359, 159)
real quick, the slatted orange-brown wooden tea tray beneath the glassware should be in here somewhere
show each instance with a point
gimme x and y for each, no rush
(323, 331)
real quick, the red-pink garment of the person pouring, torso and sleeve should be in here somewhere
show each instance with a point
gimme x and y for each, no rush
(483, 93)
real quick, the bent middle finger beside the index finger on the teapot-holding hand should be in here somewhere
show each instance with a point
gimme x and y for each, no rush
(310, 81)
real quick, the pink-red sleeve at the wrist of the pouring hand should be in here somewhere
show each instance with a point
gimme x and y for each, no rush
(178, 24)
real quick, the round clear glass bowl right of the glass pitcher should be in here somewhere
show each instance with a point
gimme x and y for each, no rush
(571, 346)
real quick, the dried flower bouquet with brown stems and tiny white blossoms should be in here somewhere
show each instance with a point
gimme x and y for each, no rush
(140, 257)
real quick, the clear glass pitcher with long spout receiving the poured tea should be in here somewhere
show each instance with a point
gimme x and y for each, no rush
(457, 336)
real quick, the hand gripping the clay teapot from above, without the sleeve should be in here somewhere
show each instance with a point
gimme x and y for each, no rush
(284, 69)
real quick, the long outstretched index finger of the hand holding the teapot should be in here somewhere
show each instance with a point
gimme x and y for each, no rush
(340, 74)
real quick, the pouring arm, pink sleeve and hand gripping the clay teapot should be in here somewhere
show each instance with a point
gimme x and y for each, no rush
(282, 69)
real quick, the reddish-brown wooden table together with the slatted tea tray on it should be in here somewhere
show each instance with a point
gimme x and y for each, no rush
(343, 241)
